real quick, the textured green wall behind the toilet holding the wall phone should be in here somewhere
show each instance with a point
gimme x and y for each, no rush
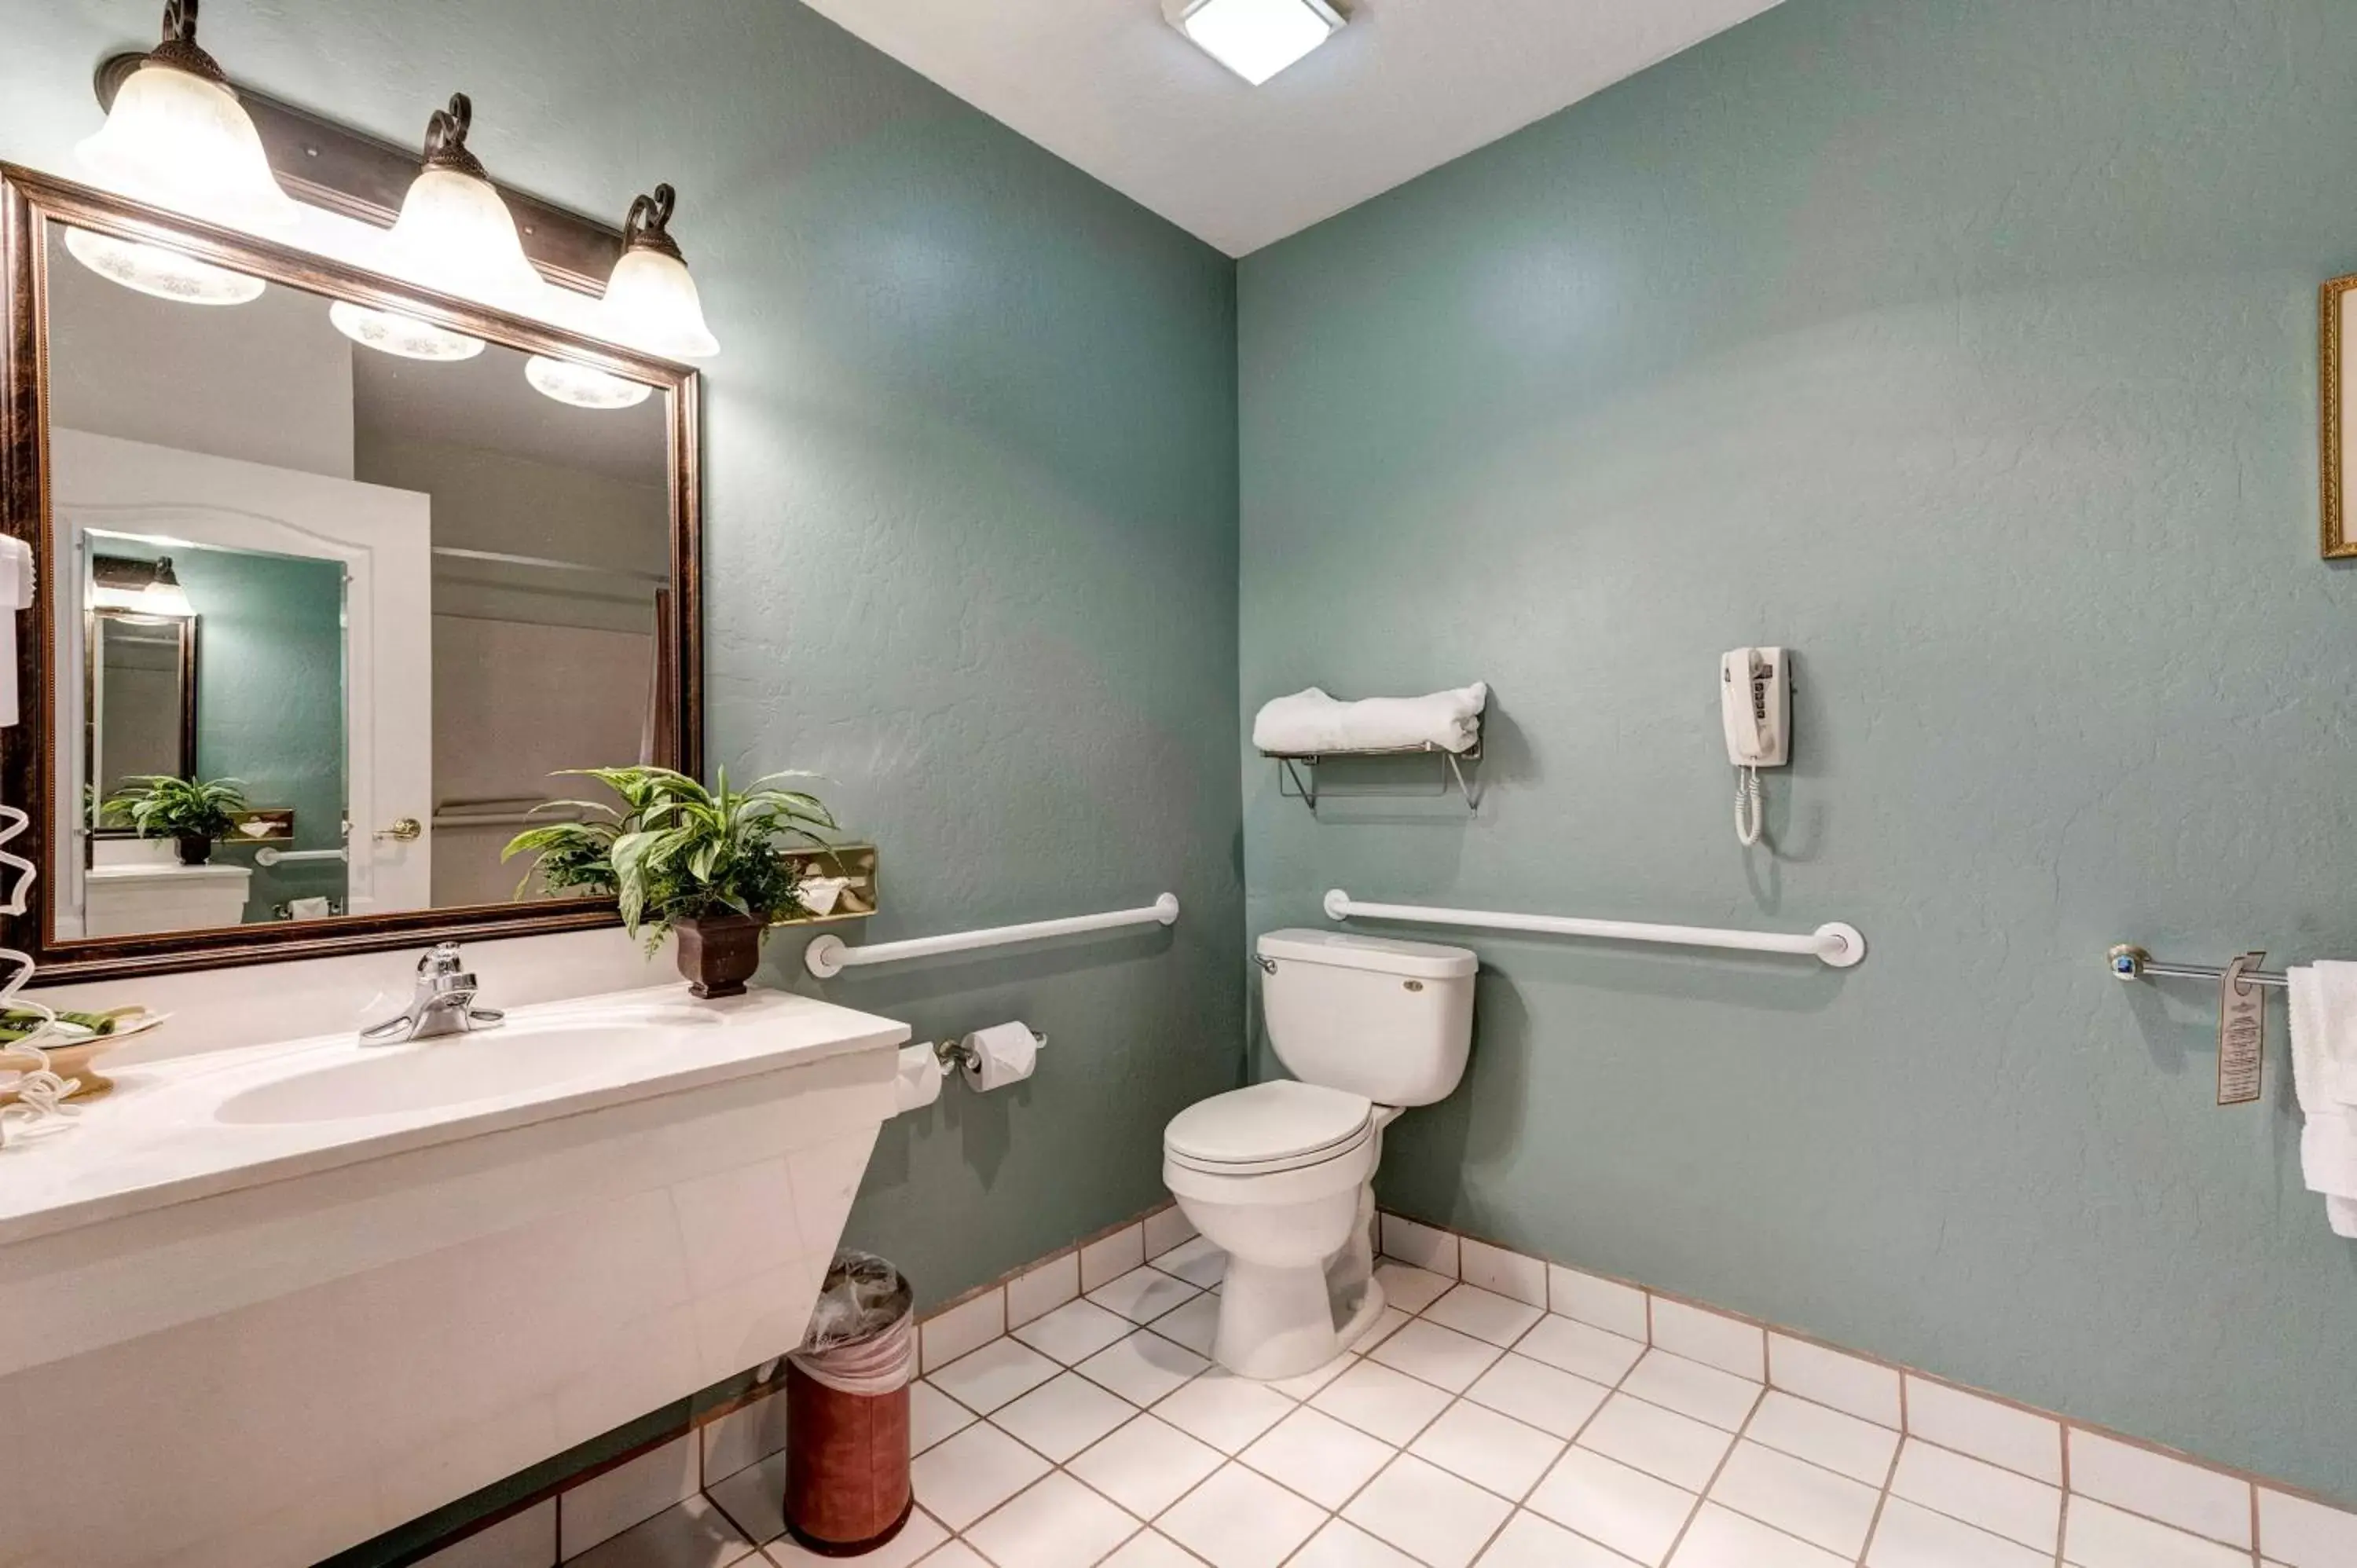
(1969, 350)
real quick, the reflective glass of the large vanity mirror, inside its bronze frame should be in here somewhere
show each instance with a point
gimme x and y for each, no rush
(496, 562)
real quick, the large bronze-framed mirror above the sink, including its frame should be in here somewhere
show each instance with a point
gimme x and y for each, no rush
(343, 572)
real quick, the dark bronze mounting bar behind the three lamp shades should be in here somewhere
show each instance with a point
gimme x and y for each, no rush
(357, 176)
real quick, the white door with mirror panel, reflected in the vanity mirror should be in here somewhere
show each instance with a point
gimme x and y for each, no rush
(312, 598)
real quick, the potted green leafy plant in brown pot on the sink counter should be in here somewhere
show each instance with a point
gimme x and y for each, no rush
(699, 864)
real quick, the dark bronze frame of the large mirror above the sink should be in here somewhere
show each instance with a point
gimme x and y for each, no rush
(29, 202)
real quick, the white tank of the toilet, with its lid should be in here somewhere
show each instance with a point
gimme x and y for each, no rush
(1387, 1020)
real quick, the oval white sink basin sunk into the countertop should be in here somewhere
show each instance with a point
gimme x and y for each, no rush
(456, 1069)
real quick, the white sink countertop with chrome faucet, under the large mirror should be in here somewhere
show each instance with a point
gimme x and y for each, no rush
(187, 1128)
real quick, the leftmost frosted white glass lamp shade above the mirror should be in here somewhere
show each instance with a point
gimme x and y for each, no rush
(183, 143)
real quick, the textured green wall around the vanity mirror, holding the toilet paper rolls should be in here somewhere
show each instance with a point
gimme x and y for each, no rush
(970, 501)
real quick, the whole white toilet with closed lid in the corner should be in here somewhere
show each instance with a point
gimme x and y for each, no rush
(1281, 1175)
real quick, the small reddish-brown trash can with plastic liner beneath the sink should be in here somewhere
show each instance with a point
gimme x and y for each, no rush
(847, 1411)
